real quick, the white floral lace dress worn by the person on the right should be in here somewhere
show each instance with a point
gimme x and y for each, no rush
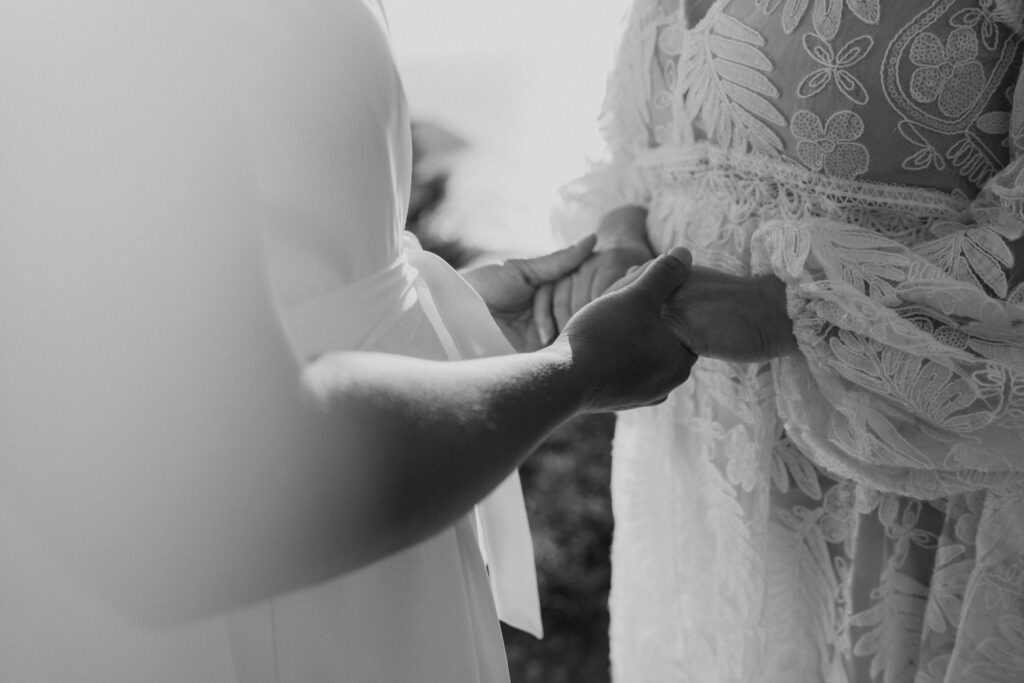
(857, 513)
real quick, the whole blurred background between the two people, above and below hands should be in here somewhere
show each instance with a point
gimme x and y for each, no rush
(508, 97)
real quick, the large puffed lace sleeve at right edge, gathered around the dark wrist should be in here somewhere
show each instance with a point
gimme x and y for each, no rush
(912, 374)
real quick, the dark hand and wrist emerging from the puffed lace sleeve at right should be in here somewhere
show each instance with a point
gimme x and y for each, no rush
(732, 318)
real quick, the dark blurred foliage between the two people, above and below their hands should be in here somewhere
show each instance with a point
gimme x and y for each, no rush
(566, 482)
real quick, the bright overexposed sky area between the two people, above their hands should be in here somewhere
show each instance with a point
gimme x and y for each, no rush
(523, 81)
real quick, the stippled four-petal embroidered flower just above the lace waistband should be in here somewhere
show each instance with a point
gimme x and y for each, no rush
(831, 147)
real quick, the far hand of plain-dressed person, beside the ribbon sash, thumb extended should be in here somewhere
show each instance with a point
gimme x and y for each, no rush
(509, 290)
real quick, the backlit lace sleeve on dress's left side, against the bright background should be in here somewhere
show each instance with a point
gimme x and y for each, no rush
(625, 124)
